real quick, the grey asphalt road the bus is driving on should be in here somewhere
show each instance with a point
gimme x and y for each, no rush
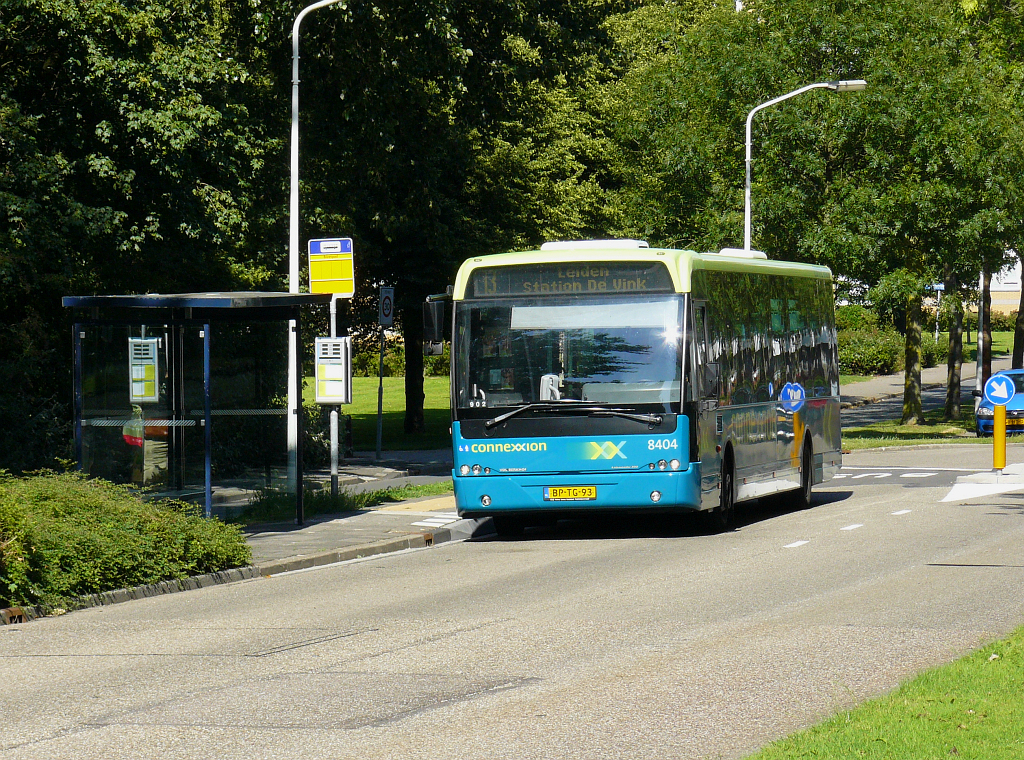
(643, 639)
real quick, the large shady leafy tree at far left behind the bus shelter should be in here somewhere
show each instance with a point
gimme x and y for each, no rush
(126, 165)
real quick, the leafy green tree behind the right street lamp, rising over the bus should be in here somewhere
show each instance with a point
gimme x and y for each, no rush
(911, 175)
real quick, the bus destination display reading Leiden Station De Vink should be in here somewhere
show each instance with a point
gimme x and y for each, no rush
(582, 278)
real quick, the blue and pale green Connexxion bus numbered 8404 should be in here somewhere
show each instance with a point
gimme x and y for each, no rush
(604, 376)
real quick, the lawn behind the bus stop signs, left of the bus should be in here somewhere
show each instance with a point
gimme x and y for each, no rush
(437, 414)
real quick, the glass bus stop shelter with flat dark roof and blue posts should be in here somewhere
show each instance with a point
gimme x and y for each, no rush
(188, 395)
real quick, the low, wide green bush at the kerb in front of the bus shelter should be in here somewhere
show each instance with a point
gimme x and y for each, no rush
(64, 536)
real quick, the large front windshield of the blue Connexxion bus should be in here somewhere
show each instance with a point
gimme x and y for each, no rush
(604, 350)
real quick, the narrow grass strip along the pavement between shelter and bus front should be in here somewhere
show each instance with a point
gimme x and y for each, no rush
(275, 506)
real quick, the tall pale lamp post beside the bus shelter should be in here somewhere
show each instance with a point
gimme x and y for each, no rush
(293, 254)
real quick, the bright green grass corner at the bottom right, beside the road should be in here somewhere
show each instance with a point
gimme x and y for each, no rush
(971, 709)
